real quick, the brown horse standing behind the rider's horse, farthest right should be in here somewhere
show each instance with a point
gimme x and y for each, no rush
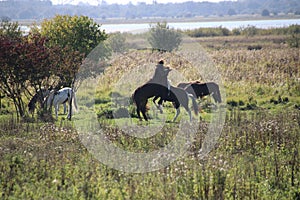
(198, 89)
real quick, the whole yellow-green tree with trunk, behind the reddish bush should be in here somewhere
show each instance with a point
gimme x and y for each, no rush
(76, 35)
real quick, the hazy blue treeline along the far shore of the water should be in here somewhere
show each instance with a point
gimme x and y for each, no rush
(38, 9)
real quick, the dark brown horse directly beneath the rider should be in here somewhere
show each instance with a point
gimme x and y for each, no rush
(177, 96)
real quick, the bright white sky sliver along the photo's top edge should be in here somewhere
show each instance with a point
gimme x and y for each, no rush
(135, 2)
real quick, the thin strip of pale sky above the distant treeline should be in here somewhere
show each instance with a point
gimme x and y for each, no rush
(96, 2)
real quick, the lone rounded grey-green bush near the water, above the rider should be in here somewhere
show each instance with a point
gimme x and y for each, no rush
(164, 38)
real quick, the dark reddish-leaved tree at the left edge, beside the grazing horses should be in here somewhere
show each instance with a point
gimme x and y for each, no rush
(27, 64)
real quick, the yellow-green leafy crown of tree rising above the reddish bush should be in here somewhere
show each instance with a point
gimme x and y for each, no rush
(77, 33)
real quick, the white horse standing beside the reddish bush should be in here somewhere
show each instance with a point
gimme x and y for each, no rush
(62, 96)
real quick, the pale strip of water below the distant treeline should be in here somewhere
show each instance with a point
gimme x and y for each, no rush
(142, 27)
